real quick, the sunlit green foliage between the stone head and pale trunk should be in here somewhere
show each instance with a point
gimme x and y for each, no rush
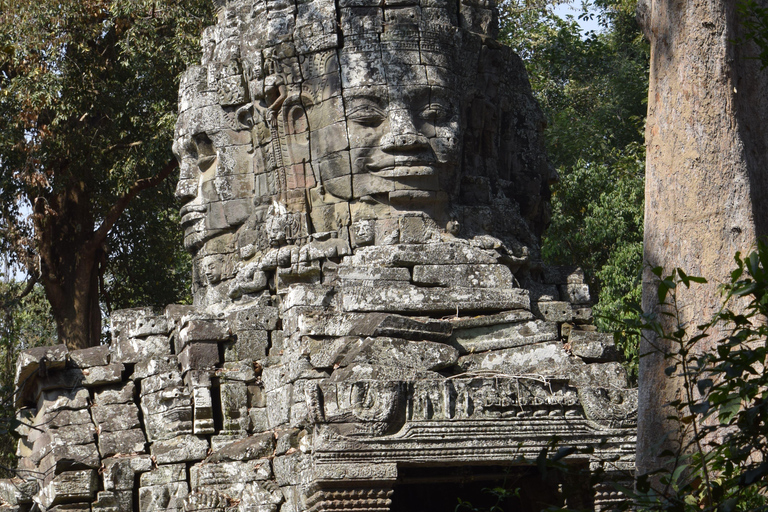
(593, 90)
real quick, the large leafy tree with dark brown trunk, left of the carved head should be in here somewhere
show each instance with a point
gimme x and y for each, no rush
(88, 94)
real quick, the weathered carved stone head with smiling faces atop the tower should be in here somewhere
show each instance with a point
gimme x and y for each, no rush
(364, 124)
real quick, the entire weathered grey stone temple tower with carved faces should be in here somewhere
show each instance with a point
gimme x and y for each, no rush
(363, 190)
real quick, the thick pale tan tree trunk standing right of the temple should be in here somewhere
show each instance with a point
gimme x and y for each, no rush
(706, 179)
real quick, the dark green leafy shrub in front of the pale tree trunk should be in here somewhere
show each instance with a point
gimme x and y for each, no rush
(719, 463)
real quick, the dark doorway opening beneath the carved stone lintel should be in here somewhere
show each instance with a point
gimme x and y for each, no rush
(510, 488)
